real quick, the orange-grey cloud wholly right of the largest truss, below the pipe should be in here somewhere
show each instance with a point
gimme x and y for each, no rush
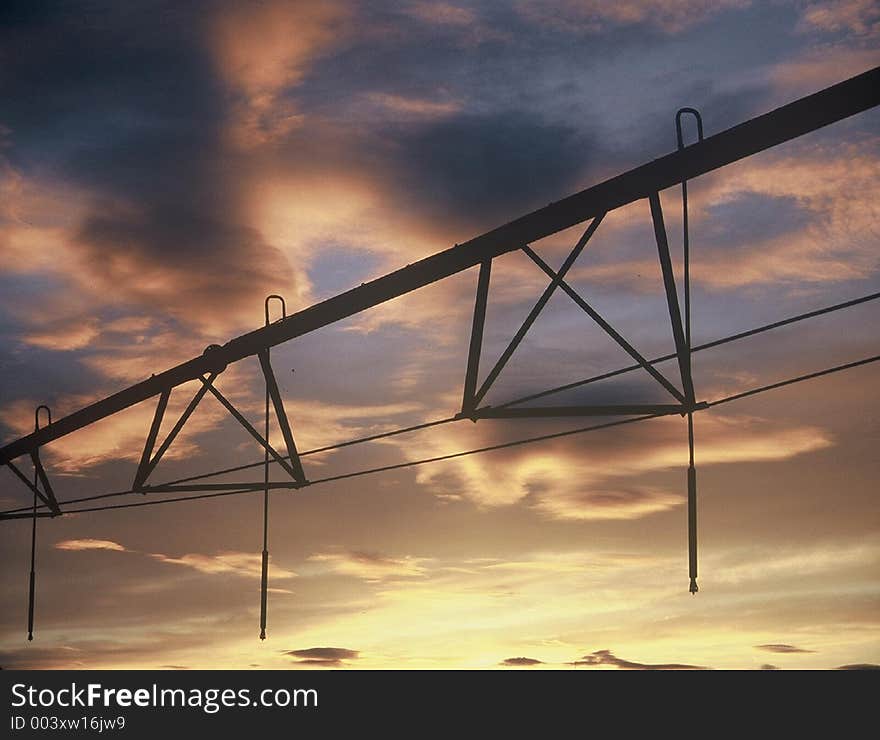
(829, 230)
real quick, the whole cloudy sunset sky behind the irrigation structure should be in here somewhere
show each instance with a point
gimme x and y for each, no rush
(166, 165)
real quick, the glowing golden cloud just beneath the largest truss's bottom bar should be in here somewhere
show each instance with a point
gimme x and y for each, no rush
(564, 479)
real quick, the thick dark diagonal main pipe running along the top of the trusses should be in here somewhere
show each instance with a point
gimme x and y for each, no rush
(788, 122)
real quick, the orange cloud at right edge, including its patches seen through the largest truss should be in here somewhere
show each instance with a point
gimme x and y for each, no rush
(833, 186)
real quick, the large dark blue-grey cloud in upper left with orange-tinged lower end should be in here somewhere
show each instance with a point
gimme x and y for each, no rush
(125, 104)
